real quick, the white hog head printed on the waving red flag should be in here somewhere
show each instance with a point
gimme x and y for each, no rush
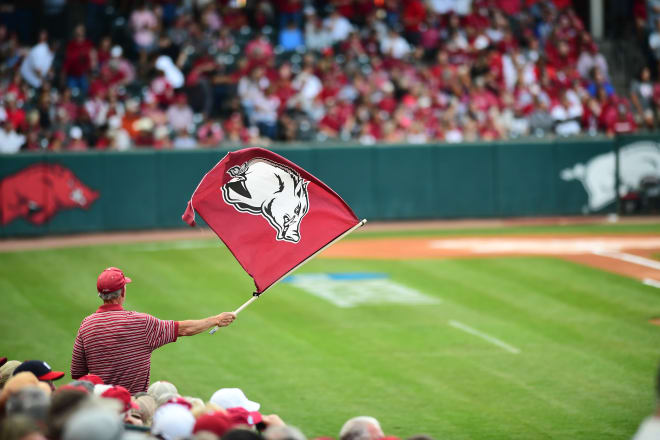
(271, 190)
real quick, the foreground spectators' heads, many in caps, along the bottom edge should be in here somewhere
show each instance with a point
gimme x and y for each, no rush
(32, 407)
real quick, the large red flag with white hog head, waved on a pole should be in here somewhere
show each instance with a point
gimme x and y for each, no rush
(271, 214)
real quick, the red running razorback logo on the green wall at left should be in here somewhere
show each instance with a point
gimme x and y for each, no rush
(39, 191)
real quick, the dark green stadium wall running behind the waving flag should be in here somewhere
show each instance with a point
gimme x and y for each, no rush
(149, 189)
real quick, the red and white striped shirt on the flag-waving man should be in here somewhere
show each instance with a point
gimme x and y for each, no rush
(116, 344)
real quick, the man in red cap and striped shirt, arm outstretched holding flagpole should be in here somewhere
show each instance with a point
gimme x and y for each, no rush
(116, 344)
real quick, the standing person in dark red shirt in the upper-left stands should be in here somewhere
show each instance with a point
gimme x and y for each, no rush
(79, 59)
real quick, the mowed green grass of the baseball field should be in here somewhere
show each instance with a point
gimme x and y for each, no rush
(585, 369)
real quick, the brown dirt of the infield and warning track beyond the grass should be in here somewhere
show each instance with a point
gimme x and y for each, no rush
(599, 251)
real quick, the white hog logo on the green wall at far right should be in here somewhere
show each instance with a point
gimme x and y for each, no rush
(636, 161)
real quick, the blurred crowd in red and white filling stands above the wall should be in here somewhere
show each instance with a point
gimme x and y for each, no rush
(202, 73)
